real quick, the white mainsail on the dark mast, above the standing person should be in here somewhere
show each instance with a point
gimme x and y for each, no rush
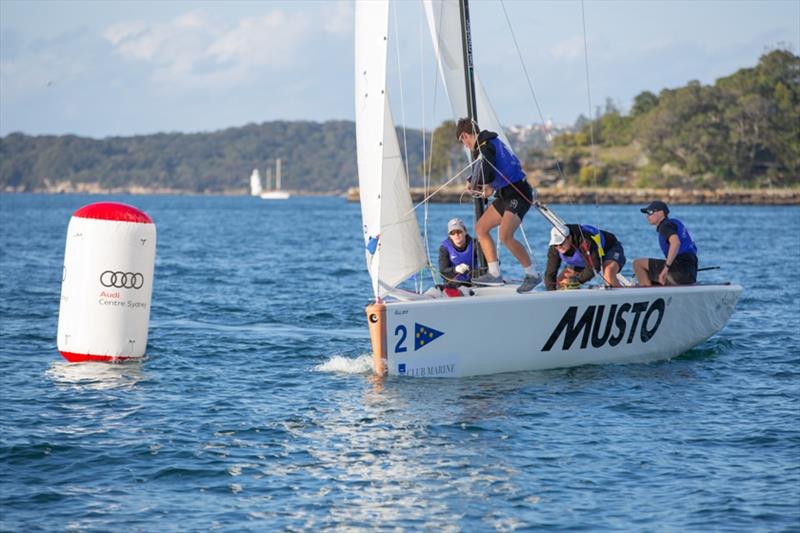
(444, 22)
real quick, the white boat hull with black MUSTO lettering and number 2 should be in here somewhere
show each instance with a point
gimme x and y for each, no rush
(499, 330)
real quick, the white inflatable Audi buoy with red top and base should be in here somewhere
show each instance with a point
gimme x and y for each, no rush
(107, 283)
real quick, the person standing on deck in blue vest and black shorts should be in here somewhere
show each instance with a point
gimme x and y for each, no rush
(497, 170)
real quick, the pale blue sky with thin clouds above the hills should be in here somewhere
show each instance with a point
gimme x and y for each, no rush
(101, 69)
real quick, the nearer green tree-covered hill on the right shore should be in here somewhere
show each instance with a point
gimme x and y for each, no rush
(742, 131)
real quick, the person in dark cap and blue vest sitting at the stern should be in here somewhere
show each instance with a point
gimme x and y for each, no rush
(680, 264)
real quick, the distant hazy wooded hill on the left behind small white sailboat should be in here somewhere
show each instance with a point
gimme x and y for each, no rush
(316, 157)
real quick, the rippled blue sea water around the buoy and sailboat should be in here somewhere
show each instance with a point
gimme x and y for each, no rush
(256, 409)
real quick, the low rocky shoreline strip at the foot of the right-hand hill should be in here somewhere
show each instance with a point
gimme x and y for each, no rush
(569, 195)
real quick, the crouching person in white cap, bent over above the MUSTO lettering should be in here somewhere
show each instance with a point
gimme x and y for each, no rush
(584, 249)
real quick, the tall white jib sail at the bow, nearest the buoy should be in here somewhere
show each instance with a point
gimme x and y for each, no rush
(394, 248)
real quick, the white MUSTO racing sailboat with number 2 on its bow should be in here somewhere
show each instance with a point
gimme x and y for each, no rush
(495, 329)
